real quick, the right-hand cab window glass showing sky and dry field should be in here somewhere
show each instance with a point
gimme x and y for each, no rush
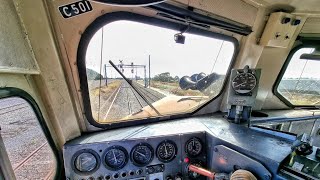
(300, 83)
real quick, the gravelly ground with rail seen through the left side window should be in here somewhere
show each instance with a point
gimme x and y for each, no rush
(22, 135)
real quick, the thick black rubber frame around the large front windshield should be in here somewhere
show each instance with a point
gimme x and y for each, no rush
(129, 16)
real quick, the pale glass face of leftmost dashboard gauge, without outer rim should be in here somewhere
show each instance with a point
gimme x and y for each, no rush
(85, 162)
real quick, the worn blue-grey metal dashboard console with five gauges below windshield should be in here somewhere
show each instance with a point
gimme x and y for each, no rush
(164, 151)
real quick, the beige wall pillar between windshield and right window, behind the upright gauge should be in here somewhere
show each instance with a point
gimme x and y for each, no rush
(270, 60)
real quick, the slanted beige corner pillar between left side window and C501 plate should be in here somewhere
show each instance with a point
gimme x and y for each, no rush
(52, 83)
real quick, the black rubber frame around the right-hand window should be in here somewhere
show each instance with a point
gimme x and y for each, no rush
(306, 44)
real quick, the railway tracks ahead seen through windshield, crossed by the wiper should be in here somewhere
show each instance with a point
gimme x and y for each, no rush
(125, 101)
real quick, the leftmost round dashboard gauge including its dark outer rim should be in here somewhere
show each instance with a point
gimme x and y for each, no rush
(86, 161)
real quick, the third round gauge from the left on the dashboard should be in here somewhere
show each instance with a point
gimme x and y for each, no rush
(142, 154)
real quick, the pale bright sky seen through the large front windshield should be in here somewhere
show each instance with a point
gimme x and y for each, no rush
(134, 42)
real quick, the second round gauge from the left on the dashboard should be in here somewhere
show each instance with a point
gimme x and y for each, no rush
(116, 157)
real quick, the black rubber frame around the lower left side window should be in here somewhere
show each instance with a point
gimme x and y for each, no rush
(9, 92)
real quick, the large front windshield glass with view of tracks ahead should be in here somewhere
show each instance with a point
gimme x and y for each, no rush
(165, 76)
